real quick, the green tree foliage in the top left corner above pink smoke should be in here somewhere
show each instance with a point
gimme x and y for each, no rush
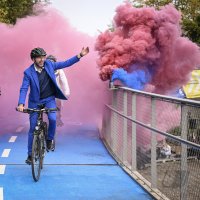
(10, 10)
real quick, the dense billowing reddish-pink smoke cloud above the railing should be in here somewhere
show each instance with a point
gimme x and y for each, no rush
(150, 38)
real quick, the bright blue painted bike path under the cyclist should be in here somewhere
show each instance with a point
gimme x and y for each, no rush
(80, 168)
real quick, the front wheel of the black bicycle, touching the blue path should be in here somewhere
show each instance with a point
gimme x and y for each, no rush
(36, 158)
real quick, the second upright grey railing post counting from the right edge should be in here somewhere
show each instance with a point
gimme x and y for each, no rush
(153, 145)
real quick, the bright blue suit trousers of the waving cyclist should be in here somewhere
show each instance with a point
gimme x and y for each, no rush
(48, 103)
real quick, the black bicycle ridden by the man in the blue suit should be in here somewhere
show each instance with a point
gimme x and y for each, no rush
(39, 140)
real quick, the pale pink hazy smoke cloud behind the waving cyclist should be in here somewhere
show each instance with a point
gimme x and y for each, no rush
(53, 32)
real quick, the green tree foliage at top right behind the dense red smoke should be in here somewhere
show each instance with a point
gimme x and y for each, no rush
(190, 10)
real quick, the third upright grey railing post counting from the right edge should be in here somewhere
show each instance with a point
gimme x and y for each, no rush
(134, 114)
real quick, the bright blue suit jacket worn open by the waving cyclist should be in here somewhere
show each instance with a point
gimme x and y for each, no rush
(31, 80)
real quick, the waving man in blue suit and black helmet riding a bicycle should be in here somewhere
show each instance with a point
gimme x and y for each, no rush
(40, 77)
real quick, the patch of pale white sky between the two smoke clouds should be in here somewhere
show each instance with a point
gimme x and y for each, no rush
(88, 16)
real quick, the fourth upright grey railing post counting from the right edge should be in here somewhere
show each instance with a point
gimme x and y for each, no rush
(124, 155)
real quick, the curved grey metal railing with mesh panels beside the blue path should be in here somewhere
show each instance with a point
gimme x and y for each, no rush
(156, 139)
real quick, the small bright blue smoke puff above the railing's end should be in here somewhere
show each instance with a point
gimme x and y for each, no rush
(136, 79)
